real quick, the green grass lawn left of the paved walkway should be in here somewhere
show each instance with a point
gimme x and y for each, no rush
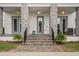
(7, 46)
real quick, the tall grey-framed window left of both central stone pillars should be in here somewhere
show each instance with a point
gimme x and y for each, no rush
(16, 24)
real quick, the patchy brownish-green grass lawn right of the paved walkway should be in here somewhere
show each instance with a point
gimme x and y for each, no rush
(70, 47)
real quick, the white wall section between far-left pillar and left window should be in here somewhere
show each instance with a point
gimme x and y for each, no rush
(7, 23)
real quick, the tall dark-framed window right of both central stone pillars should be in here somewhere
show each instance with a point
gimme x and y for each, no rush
(63, 24)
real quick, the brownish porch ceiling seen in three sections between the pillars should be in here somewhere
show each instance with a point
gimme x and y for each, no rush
(67, 10)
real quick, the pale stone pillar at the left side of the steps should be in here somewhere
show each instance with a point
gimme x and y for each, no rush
(24, 18)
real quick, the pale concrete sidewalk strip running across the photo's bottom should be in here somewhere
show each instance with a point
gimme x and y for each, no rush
(39, 53)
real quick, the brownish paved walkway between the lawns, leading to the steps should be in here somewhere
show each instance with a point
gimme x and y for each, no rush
(37, 48)
